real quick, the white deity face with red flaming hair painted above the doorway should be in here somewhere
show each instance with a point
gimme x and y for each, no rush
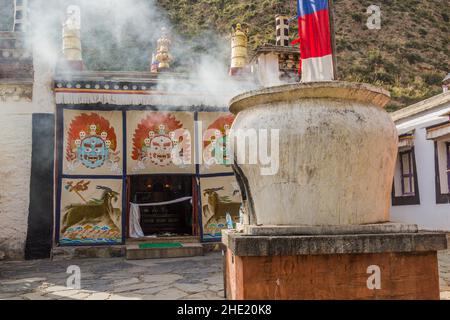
(160, 141)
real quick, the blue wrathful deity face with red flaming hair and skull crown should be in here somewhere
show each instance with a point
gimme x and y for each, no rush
(91, 143)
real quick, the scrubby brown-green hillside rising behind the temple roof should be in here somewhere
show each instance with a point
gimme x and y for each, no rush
(409, 55)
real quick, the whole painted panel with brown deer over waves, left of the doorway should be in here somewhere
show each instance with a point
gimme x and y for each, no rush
(91, 211)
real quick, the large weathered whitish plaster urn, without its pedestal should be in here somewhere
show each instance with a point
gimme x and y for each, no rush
(336, 158)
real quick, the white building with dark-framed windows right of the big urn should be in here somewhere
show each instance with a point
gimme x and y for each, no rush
(421, 192)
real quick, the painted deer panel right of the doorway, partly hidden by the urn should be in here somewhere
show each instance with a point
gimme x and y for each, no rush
(219, 195)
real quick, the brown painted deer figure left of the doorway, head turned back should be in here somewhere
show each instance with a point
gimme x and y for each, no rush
(94, 212)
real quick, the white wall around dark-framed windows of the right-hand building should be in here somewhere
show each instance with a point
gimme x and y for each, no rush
(428, 215)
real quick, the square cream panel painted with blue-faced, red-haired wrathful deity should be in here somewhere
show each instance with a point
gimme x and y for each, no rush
(92, 143)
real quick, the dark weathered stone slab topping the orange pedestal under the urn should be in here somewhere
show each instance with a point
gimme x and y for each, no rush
(247, 245)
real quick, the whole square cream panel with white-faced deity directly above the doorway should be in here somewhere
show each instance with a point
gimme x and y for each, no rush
(160, 142)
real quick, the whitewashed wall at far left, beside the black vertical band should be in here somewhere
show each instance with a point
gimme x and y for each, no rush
(15, 161)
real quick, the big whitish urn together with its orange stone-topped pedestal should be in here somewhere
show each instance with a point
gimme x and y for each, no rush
(328, 201)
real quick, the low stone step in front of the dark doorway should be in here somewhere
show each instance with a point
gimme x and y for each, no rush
(135, 252)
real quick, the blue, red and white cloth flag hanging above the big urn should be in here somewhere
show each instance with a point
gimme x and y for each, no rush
(316, 52)
